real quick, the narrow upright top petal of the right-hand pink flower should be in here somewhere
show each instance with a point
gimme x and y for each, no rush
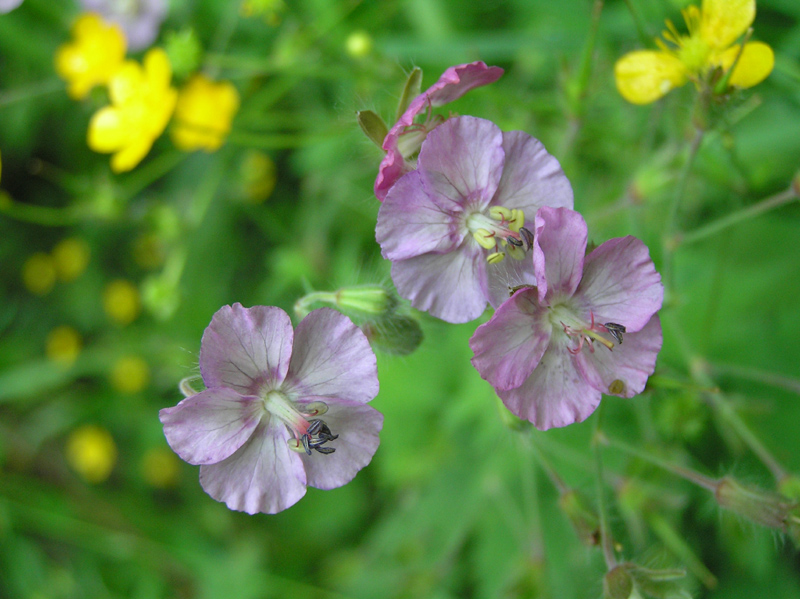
(559, 246)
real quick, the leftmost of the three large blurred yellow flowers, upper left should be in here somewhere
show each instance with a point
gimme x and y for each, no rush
(94, 55)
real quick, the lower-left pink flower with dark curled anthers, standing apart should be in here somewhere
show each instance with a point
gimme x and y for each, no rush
(282, 409)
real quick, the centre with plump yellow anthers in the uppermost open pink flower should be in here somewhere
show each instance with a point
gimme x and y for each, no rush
(501, 232)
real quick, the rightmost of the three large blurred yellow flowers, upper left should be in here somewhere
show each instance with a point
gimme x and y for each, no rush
(203, 114)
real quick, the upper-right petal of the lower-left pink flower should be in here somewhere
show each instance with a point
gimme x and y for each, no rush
(332, 359)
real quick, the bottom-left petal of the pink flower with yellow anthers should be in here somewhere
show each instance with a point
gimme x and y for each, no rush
(451, 286)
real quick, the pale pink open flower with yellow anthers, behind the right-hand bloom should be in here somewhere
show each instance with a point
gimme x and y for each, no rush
(448, 226)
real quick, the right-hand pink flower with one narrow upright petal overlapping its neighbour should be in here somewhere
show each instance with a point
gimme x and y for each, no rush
(551, 349)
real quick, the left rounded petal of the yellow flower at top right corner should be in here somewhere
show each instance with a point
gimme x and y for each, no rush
(644, 76)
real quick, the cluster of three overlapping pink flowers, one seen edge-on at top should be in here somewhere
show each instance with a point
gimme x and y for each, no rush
(485, 216)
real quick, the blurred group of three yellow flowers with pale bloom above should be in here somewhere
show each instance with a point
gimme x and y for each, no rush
(142, 98)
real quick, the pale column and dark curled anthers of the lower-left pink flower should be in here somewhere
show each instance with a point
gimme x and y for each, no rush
(307, 431)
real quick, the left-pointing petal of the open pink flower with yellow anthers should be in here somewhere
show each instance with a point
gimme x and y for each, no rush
(410, 224)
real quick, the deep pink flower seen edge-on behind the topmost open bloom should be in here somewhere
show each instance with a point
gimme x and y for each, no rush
(404, 138)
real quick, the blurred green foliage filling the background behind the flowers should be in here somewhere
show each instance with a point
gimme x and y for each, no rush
(456, 502)
